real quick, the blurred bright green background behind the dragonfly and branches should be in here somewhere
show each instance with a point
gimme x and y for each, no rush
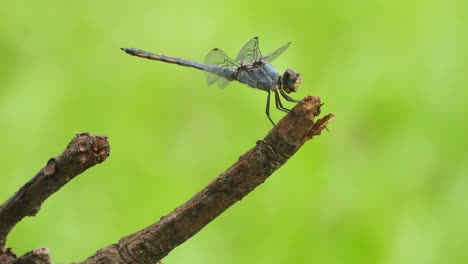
(386, 185)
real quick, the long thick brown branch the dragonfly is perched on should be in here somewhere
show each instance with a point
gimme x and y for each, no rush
(253, 168)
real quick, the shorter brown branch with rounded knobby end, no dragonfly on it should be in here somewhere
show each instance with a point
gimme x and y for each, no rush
(83, 152)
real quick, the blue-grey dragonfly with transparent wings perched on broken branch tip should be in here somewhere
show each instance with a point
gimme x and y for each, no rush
(249, 67)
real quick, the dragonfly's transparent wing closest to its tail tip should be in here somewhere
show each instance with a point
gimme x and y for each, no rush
(216, 58)
